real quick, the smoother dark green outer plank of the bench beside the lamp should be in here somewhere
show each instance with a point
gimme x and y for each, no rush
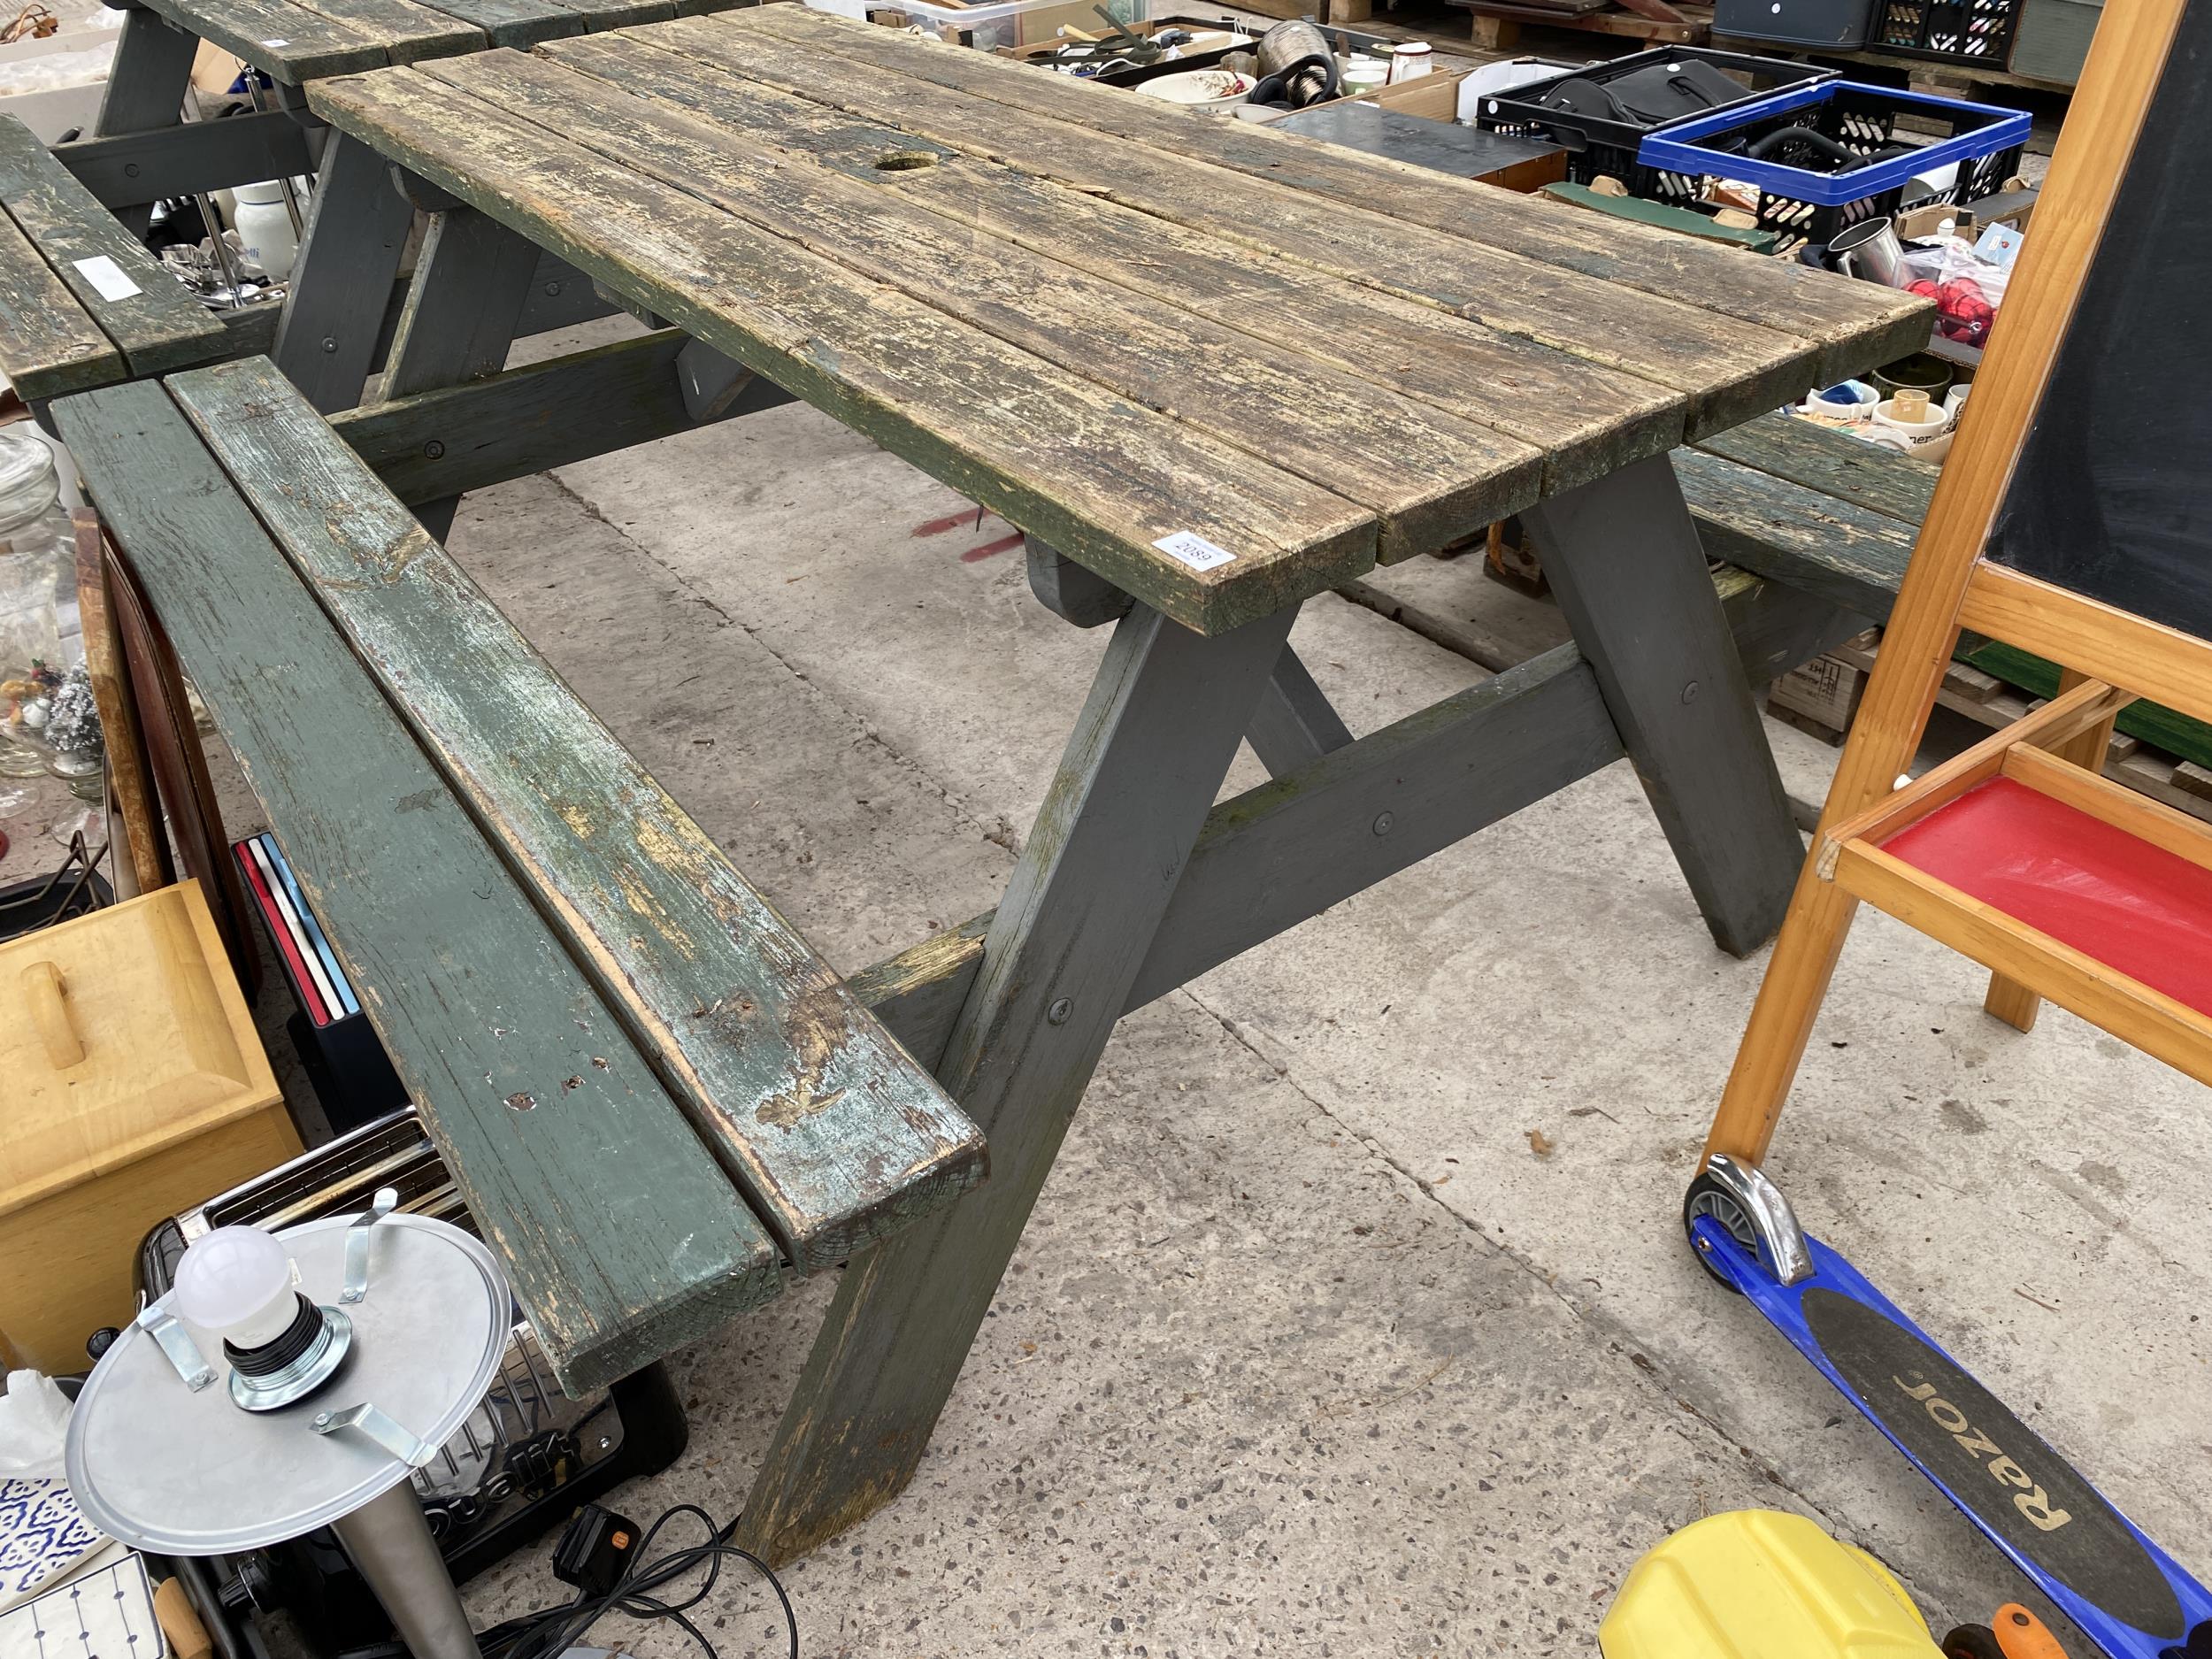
(620, 1233)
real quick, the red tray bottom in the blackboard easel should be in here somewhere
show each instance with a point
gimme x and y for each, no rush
(2078, 879)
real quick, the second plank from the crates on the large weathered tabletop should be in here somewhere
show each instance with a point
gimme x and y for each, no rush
(1726, 371)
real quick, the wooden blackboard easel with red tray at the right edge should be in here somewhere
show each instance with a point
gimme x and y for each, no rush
(2072, 521)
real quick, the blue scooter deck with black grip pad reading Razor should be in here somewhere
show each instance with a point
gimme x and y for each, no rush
(2125, 1594)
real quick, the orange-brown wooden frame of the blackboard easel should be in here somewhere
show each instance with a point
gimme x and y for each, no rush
(1952, 587)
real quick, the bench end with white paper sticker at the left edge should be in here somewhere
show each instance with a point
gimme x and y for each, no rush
(81, 302)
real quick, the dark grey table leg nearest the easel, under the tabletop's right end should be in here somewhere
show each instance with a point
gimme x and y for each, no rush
(1631, 578)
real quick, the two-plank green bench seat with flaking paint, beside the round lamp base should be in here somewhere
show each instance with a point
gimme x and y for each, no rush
(654, 1094)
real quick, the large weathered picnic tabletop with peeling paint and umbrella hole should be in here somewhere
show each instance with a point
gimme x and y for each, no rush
(1222, 366)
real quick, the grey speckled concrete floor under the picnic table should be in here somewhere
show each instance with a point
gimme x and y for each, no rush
(1357, 1317)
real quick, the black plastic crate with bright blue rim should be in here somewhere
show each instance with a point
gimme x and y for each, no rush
(1806, 191)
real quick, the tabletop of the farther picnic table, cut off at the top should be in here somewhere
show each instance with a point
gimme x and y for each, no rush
(298, 41)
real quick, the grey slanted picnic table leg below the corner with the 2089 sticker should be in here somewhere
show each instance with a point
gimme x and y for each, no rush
(1136, 782)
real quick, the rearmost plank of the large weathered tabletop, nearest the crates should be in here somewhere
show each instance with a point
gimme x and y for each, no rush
(1855, 324)
